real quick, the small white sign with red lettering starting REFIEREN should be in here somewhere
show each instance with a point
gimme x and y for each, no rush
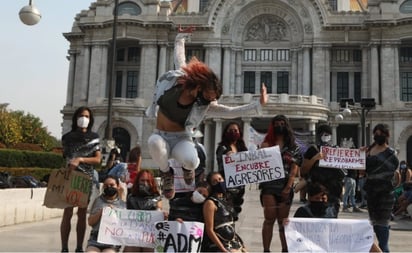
(343, 158)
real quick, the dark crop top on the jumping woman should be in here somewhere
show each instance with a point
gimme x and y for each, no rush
(170, 107)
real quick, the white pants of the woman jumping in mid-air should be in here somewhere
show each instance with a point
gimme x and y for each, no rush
(177, 145)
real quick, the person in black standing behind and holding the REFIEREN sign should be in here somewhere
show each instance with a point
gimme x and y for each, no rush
(332, 179)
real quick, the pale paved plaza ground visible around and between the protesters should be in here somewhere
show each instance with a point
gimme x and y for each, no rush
(45, 236)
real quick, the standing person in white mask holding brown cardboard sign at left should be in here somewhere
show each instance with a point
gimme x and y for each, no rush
(81, 150)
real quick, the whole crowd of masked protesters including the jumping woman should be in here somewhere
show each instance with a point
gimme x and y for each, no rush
(182, 99)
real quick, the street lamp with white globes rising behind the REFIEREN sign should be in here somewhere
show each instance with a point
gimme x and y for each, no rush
(348, 105)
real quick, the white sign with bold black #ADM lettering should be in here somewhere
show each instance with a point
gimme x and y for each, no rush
(173, 236)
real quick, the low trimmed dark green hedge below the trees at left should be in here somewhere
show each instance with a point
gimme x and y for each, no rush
(18, 158)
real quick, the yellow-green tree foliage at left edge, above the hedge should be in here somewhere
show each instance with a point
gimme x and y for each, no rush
(20, 127)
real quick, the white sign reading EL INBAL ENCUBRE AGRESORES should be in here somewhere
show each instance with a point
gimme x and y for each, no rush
(250, 167)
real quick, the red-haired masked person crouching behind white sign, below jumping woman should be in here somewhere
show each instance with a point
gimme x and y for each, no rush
(144, 196)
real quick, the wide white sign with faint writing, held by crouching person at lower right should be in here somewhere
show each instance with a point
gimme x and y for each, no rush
(328, 235)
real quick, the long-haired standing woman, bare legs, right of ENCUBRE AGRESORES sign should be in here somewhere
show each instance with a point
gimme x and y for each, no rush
(277, 195)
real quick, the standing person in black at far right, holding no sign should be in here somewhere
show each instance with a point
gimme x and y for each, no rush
(381, 163)
